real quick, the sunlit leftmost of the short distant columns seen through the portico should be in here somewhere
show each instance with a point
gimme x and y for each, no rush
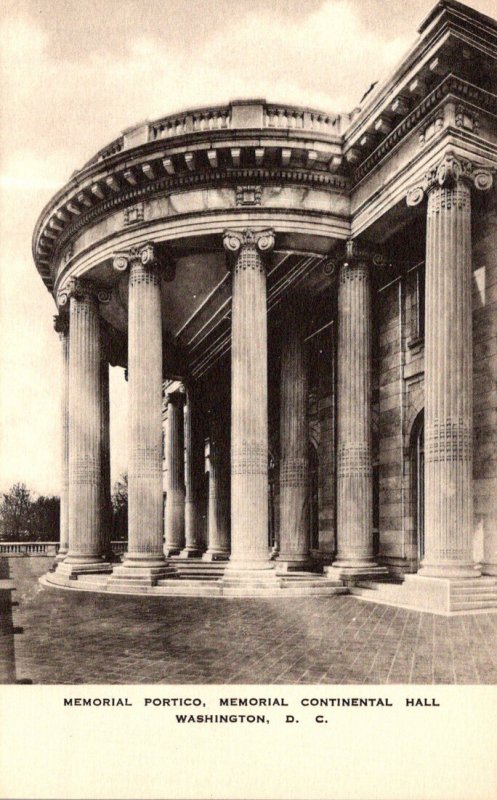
(175, 475)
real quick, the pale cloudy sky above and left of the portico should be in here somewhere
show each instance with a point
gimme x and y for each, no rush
(74, 73)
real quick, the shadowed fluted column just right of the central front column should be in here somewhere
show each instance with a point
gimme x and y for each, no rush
(294, 435)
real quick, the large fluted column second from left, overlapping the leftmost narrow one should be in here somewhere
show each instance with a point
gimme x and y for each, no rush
(85, 432)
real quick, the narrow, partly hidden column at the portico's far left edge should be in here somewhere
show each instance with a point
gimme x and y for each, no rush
(61, 324)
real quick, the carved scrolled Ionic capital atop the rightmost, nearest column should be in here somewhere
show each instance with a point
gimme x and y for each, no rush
(448, 173)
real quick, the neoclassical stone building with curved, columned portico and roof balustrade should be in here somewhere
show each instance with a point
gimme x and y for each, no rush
(305, 304)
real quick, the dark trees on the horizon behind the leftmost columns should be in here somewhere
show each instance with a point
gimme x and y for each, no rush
(27, 517)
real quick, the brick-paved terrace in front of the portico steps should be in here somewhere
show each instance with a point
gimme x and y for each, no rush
(80, 637)
